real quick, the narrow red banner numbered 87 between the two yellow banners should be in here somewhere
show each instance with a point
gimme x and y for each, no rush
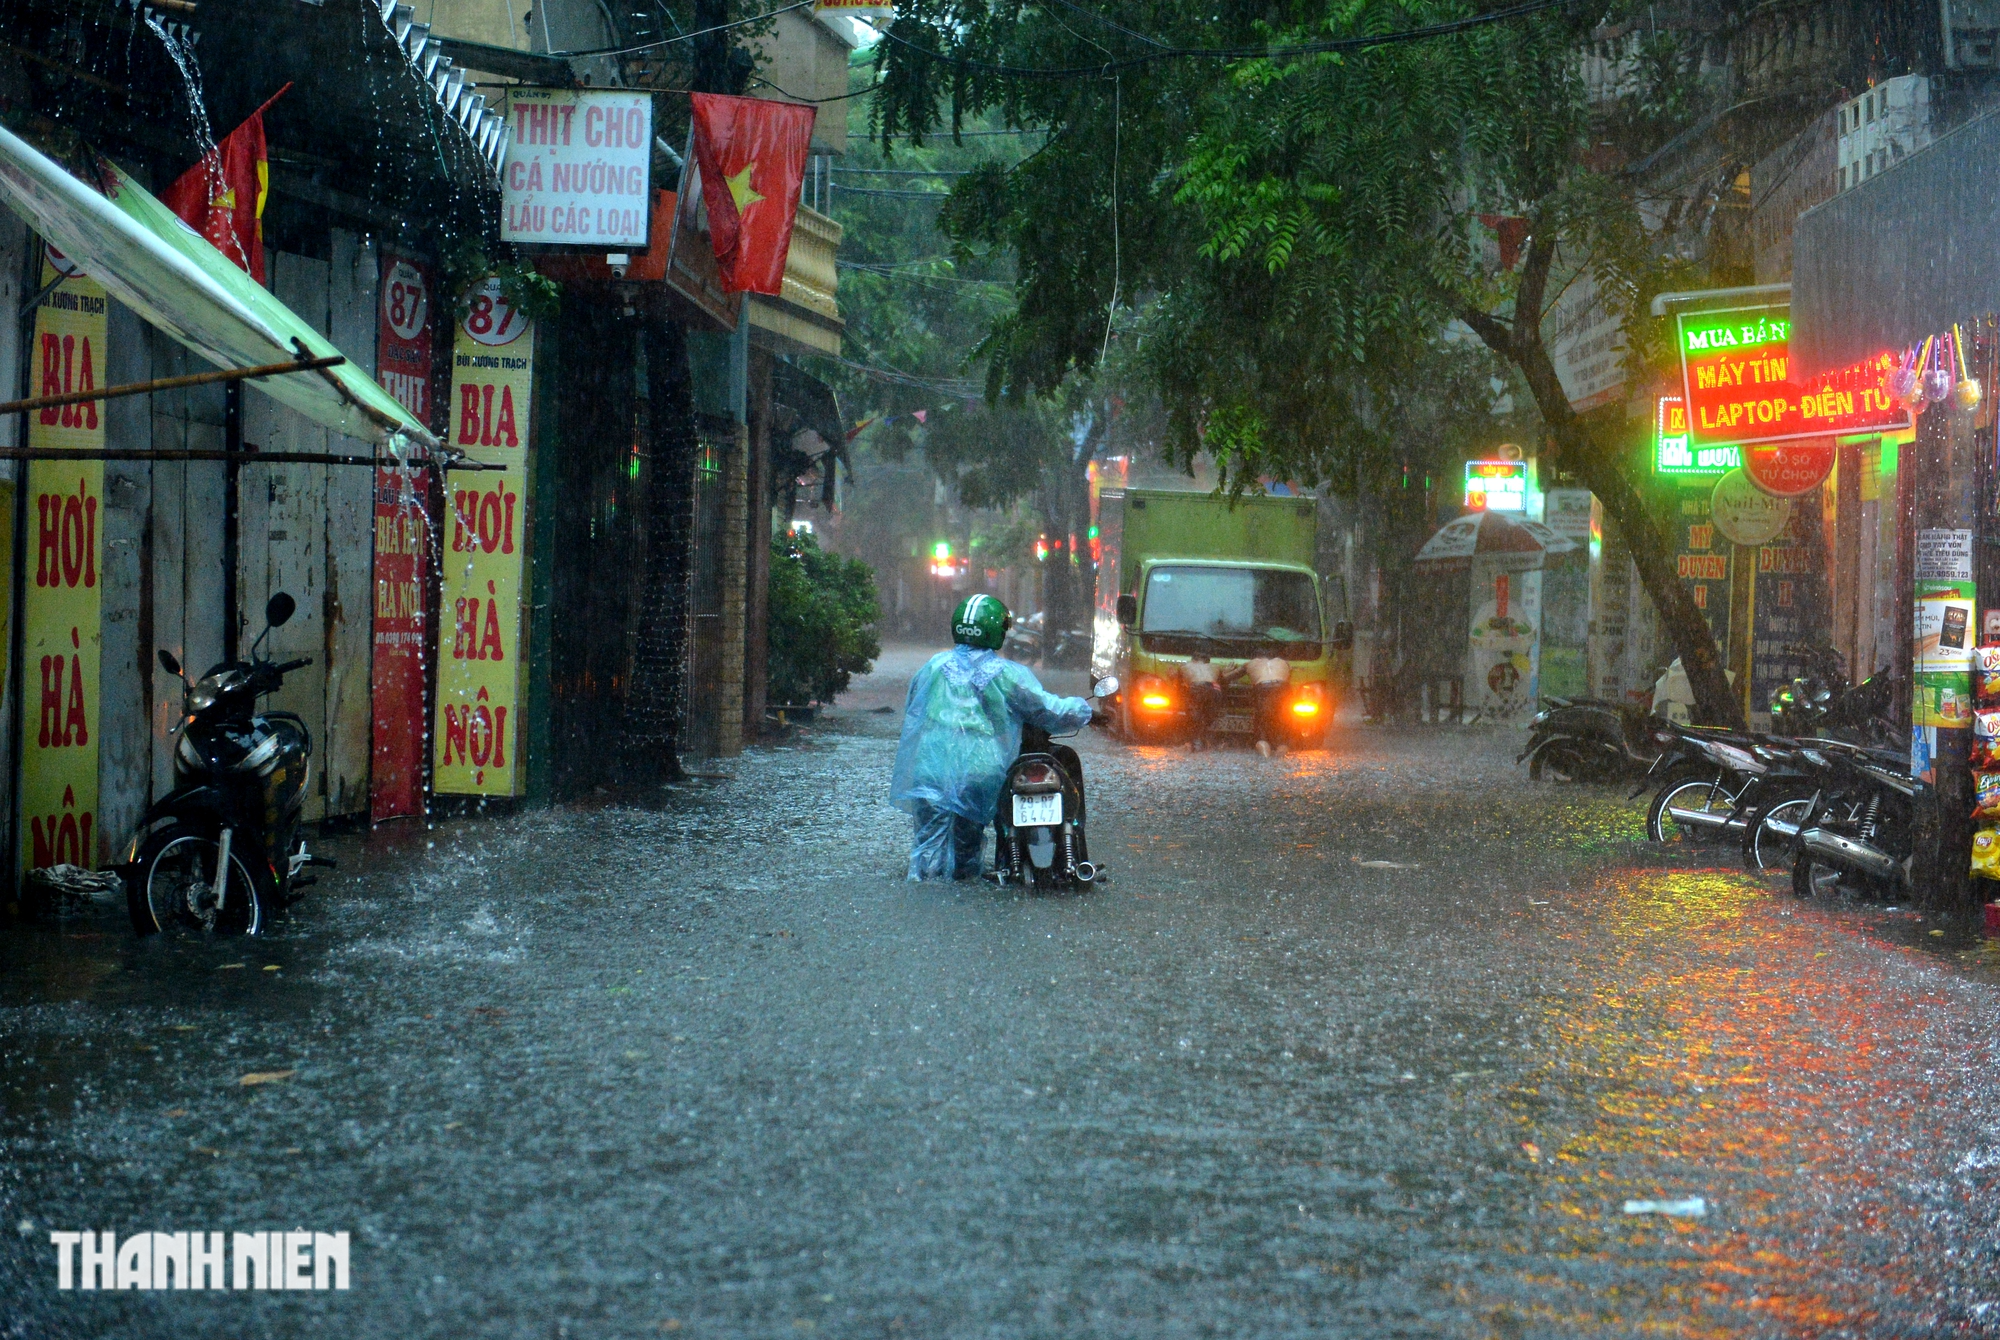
(403, 553)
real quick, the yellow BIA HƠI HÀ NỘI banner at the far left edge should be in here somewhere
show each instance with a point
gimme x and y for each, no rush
(61, 631)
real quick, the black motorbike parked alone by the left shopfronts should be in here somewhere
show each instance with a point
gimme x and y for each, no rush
(223, 853)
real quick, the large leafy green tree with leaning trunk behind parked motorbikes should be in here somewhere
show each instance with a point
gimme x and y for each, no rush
(1307, 225)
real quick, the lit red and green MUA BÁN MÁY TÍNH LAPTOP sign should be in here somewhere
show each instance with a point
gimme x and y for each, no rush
(1739, 391)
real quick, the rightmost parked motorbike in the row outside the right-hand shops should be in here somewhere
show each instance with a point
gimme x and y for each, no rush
(1859, 831)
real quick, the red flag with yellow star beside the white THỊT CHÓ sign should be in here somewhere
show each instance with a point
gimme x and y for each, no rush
(753, 159)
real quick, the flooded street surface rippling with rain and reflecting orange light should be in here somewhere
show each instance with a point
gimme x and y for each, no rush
(1363, 1043)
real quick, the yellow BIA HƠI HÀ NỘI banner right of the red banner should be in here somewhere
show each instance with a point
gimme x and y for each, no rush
(481, 629)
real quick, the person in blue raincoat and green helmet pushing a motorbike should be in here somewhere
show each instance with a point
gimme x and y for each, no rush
(961, 733)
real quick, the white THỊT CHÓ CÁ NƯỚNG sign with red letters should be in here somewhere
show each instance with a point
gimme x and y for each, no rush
(579, 169)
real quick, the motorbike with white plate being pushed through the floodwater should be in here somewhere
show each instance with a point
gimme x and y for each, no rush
(1039, 823)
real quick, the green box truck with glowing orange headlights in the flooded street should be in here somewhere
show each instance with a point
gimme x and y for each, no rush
(1187, 575)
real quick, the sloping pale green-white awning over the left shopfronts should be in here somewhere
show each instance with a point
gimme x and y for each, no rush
(167, 273)
